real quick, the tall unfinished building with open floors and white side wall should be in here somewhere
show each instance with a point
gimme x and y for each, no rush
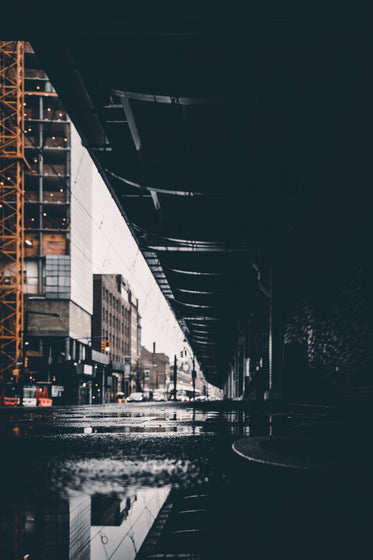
(58, 242)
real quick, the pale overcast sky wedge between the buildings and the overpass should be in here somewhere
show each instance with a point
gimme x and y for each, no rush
(116, 252)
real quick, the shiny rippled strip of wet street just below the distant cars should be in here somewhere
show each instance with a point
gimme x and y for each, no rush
(237, 423)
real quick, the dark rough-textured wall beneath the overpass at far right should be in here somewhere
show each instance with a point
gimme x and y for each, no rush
(329, 333)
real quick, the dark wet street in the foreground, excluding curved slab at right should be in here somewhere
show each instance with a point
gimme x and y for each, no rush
(147, 480)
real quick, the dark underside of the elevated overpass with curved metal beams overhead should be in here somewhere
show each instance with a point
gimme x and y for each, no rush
(218, 127)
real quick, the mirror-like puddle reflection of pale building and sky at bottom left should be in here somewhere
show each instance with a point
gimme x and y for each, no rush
(79, 527)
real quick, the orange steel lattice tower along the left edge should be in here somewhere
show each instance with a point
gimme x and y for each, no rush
(11, 207)
